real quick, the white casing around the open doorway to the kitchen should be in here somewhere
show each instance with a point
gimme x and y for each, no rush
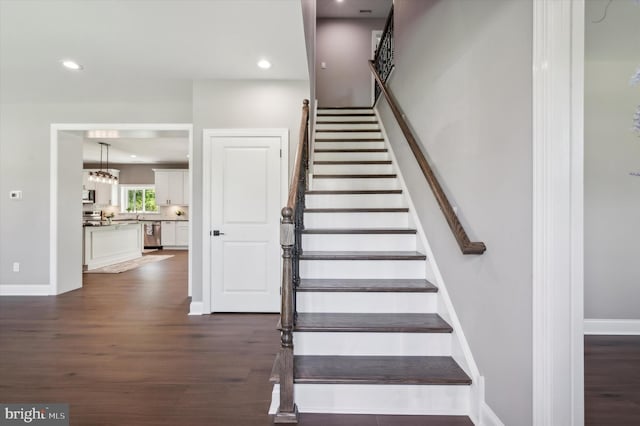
(53, 179)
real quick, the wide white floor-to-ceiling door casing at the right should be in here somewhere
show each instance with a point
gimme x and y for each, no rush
(558, 185)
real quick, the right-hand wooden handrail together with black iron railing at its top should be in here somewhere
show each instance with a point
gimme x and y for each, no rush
(381, 67)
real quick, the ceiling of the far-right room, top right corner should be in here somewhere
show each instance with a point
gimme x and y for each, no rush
(617, 36)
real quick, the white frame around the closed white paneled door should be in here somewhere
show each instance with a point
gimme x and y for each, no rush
(207, 172)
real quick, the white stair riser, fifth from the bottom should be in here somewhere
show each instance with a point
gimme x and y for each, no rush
(359, 242)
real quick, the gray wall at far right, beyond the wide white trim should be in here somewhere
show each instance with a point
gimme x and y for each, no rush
(612, 201)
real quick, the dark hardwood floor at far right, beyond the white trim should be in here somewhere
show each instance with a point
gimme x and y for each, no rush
(612, 380)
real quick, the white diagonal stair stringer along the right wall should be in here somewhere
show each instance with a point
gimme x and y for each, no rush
(460, 349)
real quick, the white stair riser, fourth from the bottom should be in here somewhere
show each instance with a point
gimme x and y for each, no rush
(383, 269)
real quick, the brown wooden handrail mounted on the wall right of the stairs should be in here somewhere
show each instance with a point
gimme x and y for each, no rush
(467, 246)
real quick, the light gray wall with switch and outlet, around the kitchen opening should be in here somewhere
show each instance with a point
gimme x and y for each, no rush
(24, 162)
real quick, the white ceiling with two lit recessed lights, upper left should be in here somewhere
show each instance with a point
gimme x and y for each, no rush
(153, 48)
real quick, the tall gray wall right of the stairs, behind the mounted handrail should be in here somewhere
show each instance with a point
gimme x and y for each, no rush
(463, 79)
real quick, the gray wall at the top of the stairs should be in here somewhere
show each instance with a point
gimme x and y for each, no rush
(345, 46)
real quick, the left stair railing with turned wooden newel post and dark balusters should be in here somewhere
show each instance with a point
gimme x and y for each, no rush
(291, 227)
